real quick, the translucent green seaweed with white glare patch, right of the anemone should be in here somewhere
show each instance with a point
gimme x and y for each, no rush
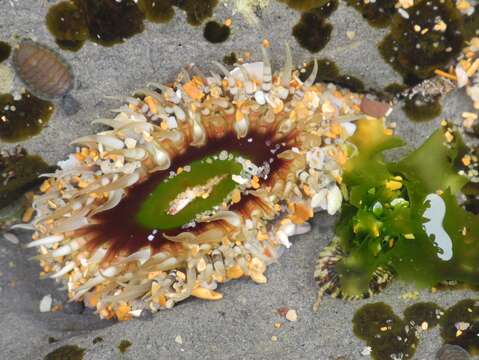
(384, 222)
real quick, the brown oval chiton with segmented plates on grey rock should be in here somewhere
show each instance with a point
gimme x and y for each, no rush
(42, 70)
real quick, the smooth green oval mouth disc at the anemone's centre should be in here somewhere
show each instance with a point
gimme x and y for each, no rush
(155, 211)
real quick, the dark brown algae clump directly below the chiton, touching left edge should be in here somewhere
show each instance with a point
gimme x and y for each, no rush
(23, 118)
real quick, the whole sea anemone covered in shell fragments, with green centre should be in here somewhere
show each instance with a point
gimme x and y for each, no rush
(196, 183)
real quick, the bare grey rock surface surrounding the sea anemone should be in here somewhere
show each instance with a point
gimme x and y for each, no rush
(241, 325)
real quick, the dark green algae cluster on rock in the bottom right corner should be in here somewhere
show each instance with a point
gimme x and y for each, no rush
(387, 334)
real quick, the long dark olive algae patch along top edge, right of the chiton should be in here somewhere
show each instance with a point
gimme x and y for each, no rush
(108, 22)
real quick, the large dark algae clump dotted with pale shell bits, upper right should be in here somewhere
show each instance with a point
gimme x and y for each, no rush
(423, 38)
